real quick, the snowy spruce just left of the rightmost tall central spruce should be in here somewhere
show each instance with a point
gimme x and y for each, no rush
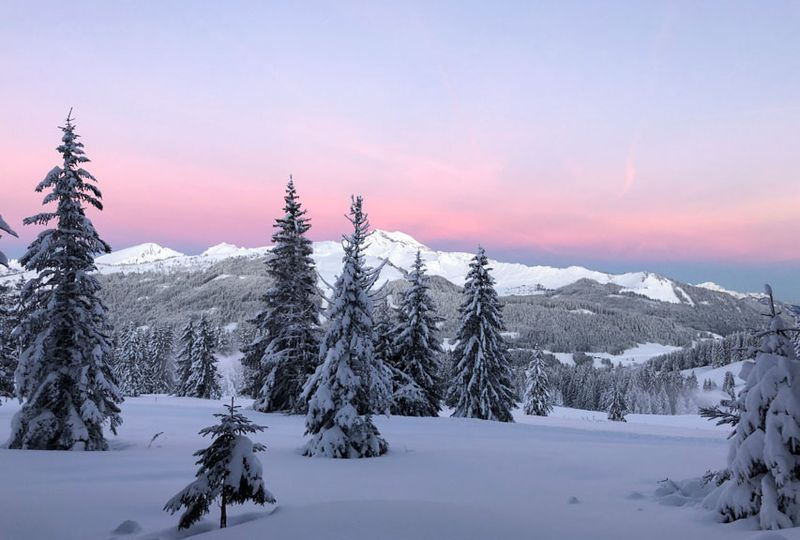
(417, 347)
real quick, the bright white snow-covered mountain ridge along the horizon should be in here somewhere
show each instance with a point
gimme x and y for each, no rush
(399, 250)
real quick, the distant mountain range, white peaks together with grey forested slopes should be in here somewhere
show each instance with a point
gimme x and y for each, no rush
(559, 309)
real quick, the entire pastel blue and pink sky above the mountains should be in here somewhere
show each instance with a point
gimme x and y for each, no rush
(617, 135)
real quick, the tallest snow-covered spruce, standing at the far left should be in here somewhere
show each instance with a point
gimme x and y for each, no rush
(63, 372)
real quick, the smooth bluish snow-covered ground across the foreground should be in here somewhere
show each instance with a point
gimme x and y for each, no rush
(443, 478)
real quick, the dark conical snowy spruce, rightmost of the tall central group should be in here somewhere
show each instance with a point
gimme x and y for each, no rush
(482, 383)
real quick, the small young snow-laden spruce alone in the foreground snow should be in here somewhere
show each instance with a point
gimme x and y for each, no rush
(229, 471)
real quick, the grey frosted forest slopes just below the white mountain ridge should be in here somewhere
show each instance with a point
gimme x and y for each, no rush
(227, 293)
